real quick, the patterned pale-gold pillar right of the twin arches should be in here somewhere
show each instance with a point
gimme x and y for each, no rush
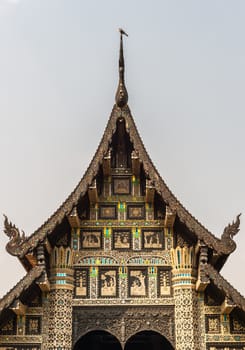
(186, 303)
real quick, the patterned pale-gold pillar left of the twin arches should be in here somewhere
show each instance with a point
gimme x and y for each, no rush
(60, 301)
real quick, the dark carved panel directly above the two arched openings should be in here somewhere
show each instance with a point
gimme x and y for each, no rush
(123, 322)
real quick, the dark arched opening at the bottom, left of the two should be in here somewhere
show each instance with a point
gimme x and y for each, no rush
(98, 340)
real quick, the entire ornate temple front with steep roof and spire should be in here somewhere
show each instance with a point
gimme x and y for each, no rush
(122, 264)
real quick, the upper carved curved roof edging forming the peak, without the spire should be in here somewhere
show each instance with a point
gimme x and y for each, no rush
(225, 245)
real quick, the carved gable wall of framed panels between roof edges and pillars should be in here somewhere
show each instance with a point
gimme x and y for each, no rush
(123, 234)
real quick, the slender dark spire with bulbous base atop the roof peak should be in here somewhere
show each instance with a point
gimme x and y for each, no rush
(121, 94)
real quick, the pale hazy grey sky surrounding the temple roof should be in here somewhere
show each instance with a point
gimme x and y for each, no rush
(185, 75)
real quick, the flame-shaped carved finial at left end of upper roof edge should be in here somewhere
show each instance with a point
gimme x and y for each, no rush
(16, 238)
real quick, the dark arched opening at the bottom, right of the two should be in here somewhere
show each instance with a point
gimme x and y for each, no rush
(148, 340)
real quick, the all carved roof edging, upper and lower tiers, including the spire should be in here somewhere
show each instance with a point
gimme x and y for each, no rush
(19, 245)
